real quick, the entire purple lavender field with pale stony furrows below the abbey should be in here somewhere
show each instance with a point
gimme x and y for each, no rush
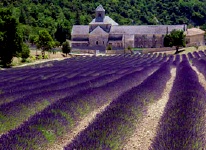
(150, 101)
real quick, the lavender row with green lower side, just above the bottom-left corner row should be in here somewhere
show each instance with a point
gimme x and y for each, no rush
(28, 105)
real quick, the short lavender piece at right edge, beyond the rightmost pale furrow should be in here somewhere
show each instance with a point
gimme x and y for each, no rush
(201, 65)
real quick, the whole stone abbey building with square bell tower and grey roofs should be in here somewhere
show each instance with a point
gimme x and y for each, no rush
(104, 31)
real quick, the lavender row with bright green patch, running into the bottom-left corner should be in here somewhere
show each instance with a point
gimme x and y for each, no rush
(63, 115)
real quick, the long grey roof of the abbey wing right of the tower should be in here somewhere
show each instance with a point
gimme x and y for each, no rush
(145, 29)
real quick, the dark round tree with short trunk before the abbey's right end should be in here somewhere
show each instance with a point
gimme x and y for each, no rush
(175, 38)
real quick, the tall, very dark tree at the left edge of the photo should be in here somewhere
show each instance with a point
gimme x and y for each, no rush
(11, 41)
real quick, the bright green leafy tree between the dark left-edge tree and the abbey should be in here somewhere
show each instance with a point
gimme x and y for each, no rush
(44, 41)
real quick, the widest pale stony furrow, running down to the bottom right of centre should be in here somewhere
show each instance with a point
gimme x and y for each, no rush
(146, 129)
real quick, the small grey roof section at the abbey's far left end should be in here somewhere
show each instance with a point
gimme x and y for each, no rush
(80, 30)
